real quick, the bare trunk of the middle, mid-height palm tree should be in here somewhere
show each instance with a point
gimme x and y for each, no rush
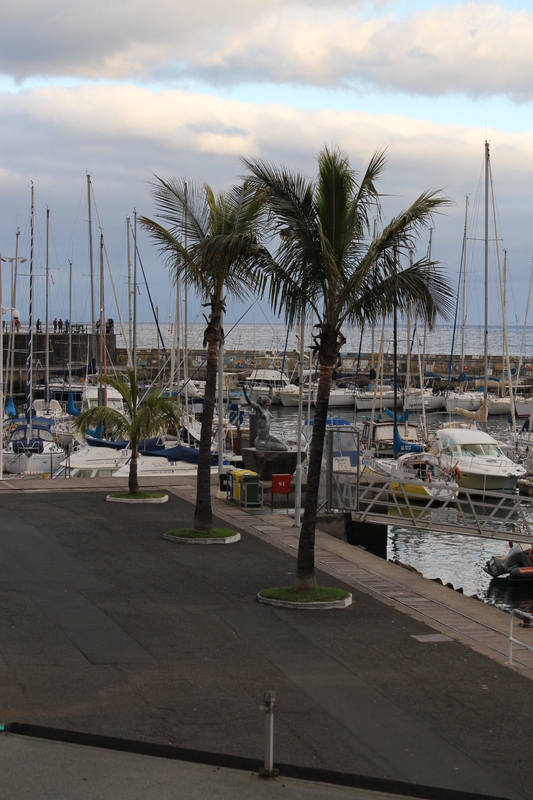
(203, 515)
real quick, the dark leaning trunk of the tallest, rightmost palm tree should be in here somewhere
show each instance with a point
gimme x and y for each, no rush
(305, 568)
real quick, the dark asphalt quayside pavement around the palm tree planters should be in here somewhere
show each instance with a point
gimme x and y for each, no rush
(110, 629)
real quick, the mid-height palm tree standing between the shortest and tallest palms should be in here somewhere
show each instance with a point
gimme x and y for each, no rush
(212, 243)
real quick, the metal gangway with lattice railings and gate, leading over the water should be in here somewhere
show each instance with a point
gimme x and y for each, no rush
(382, 501)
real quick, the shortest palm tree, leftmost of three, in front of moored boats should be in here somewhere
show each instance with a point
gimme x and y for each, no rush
(140, 420)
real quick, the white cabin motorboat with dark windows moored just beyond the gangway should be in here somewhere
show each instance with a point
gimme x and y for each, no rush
(477, 459)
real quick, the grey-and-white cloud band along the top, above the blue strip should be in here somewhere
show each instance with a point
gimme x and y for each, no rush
(470, 48)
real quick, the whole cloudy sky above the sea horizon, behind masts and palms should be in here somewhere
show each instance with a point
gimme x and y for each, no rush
(122, 91)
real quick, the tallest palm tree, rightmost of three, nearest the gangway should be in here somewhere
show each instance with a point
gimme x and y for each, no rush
(327, 261)
